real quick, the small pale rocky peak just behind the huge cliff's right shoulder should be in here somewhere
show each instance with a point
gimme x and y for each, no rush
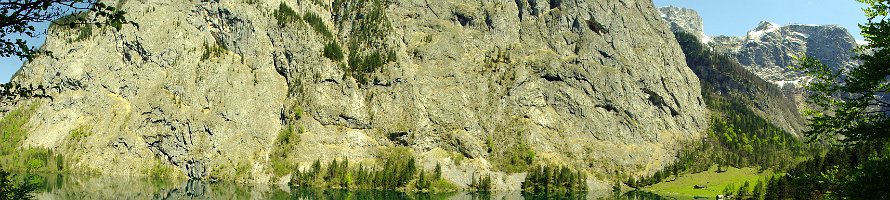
(685, 20)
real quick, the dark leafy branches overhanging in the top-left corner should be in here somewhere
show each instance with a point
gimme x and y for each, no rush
(18, 17)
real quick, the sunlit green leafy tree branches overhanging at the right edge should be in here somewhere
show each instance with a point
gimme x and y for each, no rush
(854, 104)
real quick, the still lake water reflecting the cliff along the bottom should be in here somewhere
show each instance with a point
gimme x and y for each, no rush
(58, 186)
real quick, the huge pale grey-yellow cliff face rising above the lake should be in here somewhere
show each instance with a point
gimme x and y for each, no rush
(207, 86)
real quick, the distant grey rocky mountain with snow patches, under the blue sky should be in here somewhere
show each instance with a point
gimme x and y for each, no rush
(768, 49)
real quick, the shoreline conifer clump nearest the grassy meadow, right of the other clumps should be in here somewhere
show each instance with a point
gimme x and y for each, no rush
(547, 179)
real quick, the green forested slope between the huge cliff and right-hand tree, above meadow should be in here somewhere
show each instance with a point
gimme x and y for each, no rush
(737, 135)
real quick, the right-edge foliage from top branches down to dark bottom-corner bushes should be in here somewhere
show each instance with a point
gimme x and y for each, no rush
(851, 107)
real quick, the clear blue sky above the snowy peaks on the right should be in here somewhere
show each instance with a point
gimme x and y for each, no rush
(736, 17)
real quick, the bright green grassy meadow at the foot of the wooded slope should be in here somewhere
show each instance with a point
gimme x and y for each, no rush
(714, 182)
